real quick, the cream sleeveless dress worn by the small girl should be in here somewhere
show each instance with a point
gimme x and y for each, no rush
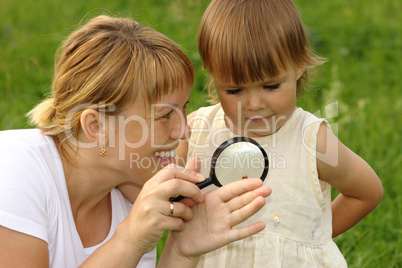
(297, 213)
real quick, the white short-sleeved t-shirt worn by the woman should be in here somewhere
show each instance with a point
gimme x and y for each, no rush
(34, 198)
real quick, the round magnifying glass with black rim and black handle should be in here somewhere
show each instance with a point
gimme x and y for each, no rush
(236, 159)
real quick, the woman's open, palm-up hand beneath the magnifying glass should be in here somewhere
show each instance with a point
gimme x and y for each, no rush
(214, 219)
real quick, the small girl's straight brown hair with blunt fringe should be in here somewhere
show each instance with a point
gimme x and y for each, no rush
(243, 41)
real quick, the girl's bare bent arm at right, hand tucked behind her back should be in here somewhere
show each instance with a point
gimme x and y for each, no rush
(359, 186)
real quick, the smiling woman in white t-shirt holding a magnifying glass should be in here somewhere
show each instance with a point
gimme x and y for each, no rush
(116, 112)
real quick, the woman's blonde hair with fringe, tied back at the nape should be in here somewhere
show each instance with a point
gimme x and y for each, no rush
(104, 65)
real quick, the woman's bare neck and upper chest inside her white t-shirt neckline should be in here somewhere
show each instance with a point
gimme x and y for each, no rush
(90, 199)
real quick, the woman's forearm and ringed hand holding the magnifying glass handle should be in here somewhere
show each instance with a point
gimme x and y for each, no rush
(149, 218)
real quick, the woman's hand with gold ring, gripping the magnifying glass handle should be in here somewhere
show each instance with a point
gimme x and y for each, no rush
(150, 215)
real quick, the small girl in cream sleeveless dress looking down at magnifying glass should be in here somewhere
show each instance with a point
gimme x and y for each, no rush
(258, 56)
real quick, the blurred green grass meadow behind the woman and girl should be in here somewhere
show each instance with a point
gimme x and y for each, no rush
(357, 90)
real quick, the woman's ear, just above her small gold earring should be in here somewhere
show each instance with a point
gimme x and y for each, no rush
(93, 126)
